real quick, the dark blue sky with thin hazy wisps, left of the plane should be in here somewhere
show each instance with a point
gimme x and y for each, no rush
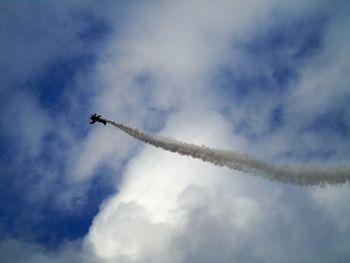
(46, 50)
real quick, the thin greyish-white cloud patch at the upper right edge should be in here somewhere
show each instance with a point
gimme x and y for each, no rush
(324, 80)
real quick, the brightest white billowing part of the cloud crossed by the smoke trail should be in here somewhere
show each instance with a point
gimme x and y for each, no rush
(148, 201)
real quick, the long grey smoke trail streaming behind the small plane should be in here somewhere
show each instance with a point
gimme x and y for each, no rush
(243, 162)
